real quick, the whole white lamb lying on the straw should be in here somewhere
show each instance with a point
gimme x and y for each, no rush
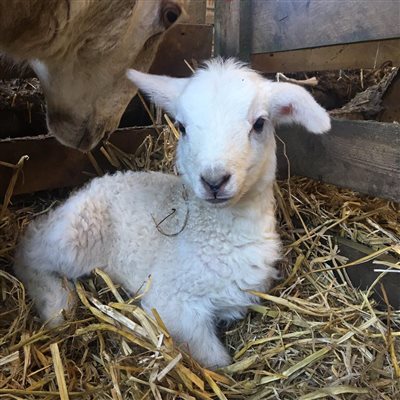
(219, 242)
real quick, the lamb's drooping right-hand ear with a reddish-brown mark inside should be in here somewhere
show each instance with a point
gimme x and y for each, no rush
(289, 103)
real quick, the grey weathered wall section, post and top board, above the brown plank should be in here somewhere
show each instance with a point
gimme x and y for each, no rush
(259, 26)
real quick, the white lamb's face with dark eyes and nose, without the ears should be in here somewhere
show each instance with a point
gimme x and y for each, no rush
(227, 137)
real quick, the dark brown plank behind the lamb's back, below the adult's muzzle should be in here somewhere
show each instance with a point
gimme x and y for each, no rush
(52, 165)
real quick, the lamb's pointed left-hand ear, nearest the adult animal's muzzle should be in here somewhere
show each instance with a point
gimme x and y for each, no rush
(162, 90)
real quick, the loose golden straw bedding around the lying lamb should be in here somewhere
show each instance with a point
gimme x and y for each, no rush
(313, 336)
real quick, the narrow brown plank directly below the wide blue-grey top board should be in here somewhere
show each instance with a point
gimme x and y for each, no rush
(347, 56)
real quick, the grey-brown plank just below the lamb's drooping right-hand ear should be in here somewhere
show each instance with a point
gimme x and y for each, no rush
(361, 155)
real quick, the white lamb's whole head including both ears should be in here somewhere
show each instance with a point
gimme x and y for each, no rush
(226, 115)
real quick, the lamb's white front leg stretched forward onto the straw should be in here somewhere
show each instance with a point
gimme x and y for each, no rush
(193, 327)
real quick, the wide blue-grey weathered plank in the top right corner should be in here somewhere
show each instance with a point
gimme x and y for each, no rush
(298, 24)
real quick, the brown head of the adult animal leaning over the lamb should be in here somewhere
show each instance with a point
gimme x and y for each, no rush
(80, 51)
